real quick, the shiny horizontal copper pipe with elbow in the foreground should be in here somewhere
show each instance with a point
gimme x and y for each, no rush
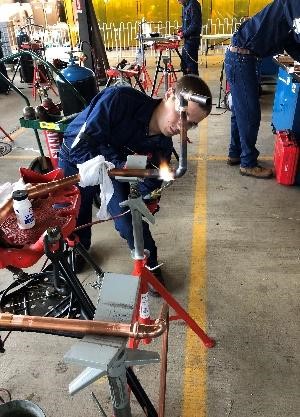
(10, 321)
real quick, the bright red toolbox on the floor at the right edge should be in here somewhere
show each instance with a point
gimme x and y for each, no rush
(286, 157)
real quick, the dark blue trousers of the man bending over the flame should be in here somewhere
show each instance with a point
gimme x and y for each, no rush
(123, 224)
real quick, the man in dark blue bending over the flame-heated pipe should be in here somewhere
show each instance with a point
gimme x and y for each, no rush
(121, 121)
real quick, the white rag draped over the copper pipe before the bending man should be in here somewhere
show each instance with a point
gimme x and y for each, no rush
(94, 172)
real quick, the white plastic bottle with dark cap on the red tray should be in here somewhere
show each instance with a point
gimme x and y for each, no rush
(23, 209)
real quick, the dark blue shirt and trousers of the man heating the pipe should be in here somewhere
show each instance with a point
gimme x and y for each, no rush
(117, 125)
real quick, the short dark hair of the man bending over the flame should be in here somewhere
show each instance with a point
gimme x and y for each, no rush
(195, 84)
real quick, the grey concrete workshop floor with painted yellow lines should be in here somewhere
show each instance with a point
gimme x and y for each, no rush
(230, 247)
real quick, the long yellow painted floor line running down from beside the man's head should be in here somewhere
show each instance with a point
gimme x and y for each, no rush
(194, 391)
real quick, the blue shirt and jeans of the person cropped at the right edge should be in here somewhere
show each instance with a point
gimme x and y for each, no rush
(274, 29)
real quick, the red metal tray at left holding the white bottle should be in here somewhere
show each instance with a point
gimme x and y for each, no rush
(23, 248)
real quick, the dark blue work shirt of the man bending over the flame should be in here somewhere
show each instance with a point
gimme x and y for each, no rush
(130, 110)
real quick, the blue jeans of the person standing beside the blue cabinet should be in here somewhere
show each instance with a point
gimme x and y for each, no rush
(242, 76)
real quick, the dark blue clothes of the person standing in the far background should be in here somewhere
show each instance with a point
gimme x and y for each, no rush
(191, 29)
